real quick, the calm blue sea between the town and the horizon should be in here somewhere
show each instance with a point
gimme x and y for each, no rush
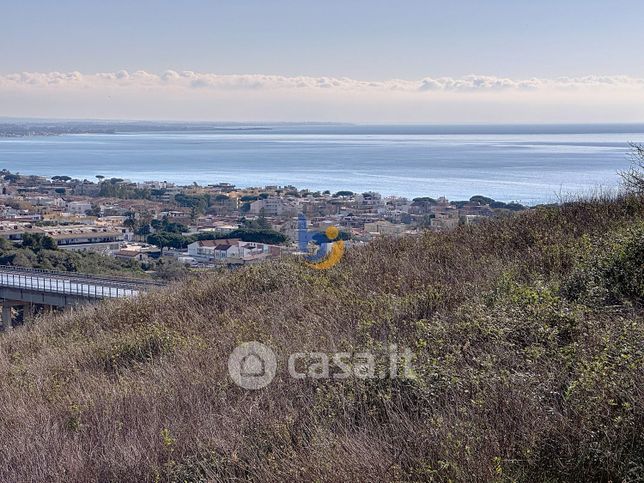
(528, 164)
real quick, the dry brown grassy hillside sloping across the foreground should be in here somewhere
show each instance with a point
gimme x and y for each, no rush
(529, 365)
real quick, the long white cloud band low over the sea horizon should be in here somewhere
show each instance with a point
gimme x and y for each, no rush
(176, 94)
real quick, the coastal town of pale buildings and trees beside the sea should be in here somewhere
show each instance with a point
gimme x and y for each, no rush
(216, 225)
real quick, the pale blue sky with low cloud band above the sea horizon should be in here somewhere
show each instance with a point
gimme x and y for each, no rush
(312, 60)
